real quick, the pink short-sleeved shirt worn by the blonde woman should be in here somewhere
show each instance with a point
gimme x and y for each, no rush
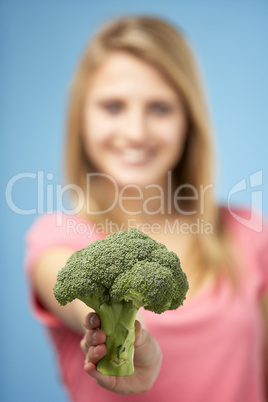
(212, 346)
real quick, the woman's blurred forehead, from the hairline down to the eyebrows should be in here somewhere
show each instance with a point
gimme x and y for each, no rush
(123, 73)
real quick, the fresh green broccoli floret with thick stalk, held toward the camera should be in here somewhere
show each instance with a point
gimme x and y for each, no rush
(116, 277)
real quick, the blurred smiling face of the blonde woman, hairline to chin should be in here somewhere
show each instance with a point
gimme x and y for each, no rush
(134, 122)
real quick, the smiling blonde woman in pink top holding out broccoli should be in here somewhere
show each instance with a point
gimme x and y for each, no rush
(139, 154)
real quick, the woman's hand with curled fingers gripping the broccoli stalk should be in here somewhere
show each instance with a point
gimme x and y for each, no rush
(147, 359)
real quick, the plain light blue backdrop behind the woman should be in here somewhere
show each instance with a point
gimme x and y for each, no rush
(40, 43)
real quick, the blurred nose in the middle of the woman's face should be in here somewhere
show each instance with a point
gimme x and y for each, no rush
(135, 124)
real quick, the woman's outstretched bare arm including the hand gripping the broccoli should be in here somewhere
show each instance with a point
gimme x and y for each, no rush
(76, 315)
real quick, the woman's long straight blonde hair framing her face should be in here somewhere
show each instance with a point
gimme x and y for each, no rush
(163, 46)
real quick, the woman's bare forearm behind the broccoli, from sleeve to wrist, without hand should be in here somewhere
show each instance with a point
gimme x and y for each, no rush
(44, 277)
